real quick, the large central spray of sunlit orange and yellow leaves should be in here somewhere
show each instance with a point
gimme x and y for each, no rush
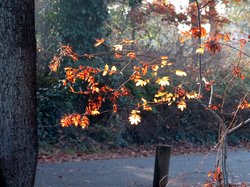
(143, 73)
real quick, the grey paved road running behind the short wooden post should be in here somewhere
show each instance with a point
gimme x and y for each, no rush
(138, 172)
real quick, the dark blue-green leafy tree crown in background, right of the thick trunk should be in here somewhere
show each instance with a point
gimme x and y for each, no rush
(77, 22)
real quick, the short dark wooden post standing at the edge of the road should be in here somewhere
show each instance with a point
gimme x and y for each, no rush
(162, 160)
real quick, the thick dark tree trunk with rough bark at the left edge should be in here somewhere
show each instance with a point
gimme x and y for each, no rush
(18, 130)
